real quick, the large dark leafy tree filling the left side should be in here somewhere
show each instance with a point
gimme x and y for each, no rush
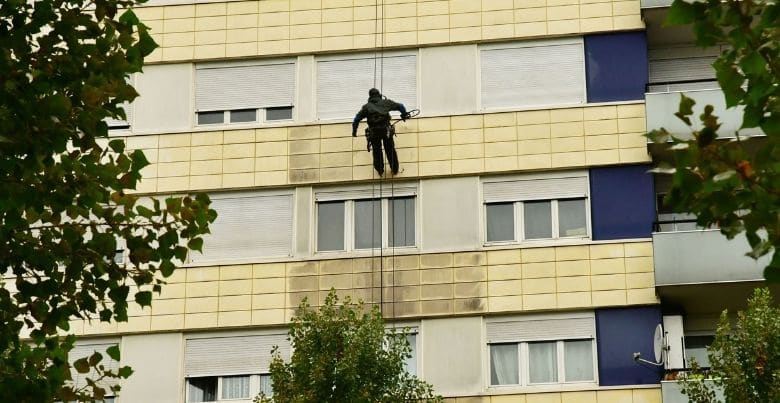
(64, 191)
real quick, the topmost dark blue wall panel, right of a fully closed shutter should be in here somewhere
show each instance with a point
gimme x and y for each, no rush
(616, 66)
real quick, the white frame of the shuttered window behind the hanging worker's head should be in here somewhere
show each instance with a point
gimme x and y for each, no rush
(359, 56)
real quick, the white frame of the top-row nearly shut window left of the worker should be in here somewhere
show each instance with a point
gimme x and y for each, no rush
(260, 114)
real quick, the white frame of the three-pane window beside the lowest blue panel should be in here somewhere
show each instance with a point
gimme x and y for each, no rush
(523, 354)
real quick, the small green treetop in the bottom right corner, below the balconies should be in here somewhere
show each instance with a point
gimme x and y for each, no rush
(745, 359)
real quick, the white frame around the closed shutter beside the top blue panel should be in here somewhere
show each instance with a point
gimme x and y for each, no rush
(527, 44)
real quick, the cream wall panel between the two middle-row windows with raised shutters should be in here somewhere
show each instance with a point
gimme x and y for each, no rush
(450, 213)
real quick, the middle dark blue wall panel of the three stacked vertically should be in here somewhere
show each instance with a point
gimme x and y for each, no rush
(622, 202)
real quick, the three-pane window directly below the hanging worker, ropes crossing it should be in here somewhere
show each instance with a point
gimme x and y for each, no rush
(366, 218)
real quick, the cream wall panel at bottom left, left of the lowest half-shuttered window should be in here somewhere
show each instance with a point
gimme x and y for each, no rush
(156, 360)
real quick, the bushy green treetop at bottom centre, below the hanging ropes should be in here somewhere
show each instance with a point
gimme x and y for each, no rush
(343, 353)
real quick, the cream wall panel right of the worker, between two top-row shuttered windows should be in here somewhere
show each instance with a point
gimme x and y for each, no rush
(448, 80)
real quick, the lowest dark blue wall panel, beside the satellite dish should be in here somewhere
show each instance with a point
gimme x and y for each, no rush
(620, 333)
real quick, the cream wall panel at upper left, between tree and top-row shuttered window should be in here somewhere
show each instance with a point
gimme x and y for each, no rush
(165, 100)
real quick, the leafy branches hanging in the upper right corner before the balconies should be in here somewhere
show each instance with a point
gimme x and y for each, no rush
(728, 183)
